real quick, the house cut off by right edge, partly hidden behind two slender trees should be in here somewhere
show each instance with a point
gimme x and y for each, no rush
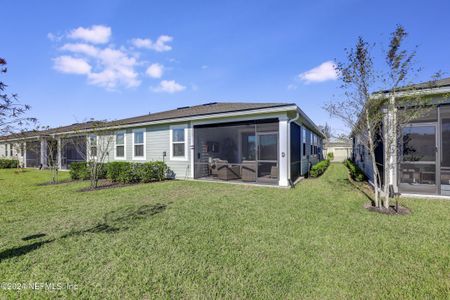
(422, 165)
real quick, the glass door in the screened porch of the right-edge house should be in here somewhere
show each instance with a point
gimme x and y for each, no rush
(418, 159)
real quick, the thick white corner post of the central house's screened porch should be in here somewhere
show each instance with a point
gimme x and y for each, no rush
(284, 151)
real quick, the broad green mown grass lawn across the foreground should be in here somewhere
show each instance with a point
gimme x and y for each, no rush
(196, 239)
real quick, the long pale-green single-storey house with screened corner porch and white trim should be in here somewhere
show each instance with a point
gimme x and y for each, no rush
(266, 143)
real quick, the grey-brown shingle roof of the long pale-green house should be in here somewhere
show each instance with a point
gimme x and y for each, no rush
(182, 112)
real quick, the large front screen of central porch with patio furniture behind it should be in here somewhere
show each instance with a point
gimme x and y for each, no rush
(242, 151)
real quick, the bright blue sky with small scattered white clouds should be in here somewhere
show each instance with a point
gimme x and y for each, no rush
(74, 60)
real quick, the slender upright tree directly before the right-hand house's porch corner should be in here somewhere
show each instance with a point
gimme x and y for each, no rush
(405, 102)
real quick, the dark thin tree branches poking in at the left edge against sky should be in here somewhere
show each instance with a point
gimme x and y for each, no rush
(12, 113)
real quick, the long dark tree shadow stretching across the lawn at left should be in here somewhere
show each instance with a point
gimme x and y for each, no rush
(112, 222)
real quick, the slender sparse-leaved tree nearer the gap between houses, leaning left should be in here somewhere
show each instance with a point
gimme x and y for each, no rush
(357, 110)
